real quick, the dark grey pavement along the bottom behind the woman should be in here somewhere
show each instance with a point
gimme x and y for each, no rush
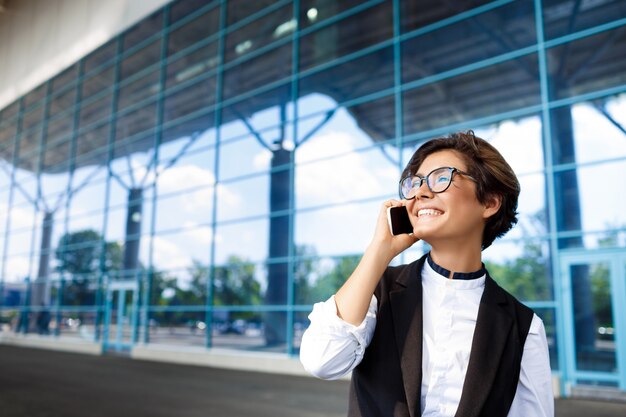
(43, 383)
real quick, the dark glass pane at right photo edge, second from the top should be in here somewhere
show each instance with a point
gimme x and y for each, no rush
(587, 64)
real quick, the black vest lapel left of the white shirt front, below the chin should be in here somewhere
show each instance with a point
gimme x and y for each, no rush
(406, 309)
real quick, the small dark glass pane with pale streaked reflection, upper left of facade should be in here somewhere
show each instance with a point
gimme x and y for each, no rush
(192, 65)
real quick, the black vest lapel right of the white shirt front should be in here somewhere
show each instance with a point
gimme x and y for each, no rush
(493, 325)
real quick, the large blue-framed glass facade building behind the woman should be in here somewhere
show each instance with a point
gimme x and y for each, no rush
(207, 175)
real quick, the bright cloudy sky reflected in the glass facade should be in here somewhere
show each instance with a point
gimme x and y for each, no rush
(334, 167)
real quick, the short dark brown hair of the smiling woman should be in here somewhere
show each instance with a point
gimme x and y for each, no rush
(493, 175)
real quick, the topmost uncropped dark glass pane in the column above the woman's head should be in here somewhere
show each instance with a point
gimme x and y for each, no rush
(490, 34)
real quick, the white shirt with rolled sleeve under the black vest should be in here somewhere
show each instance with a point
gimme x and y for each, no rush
(331, 347)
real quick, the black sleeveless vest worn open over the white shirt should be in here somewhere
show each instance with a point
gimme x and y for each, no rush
(388, 380)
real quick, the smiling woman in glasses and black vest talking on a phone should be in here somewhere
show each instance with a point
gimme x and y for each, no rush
(437, 337)
